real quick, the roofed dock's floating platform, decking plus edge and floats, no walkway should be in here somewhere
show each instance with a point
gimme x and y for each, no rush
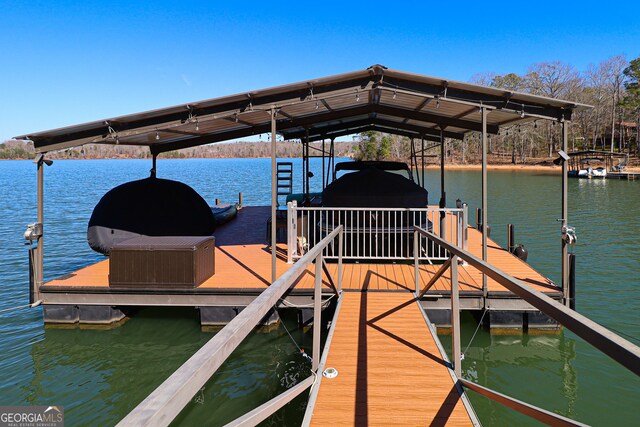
(243, 271)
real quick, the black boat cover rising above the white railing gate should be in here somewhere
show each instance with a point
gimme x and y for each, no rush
(372, 188)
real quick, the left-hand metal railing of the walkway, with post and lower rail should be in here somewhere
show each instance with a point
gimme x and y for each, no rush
(170, 398)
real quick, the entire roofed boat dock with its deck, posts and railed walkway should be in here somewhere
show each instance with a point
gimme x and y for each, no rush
(382, 304)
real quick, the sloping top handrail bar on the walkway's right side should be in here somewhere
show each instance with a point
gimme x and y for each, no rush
(614, 346)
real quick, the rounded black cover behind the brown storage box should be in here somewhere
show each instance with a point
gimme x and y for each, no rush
(149, 207)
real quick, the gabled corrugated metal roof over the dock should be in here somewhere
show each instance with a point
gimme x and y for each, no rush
(376, 98)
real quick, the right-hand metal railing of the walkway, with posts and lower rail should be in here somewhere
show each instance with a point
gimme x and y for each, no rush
(614, 346)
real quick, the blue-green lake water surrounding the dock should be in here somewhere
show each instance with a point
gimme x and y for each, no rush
(100, 375)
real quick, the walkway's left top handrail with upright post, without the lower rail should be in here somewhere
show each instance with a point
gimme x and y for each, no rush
(166, 401)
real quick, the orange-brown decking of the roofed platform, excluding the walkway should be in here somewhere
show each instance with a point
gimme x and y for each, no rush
(243, 262)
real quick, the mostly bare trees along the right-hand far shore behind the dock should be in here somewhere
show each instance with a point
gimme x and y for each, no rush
(611, 87)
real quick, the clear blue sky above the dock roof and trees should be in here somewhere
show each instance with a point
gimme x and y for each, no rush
(69, 62)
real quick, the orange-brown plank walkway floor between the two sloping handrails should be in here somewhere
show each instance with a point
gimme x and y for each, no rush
(390, 371)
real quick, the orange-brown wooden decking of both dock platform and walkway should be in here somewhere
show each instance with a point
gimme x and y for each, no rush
(390, 367)
